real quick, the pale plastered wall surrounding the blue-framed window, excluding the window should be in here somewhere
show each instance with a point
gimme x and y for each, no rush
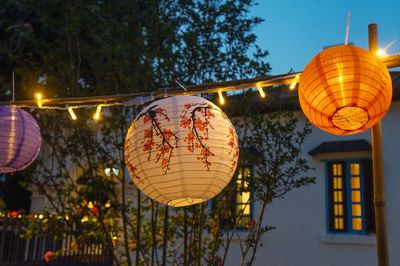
(301, 238)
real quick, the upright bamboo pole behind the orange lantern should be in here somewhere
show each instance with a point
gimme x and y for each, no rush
(378, 177)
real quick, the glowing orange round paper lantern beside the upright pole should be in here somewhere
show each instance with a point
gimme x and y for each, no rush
(345, 90)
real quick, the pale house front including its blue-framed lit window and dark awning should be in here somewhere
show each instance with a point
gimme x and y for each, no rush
(331, 222)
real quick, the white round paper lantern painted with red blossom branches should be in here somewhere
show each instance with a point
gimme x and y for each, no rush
(181, 150)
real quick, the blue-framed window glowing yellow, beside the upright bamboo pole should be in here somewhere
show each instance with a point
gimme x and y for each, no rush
(350, 197)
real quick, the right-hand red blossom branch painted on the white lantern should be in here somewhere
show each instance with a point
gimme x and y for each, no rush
(196, 118)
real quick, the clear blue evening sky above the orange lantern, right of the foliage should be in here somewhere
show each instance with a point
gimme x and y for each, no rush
(295, 31)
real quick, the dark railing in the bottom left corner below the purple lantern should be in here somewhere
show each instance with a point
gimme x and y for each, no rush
(15, 250)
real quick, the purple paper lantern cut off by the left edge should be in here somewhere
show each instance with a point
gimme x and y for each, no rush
(19, 139)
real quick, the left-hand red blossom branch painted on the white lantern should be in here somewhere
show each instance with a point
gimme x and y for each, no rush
(158, 139)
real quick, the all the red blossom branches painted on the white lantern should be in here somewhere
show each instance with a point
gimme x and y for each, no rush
(196, 117)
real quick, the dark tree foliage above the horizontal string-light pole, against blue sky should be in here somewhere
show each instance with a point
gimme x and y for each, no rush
(86, 47)
